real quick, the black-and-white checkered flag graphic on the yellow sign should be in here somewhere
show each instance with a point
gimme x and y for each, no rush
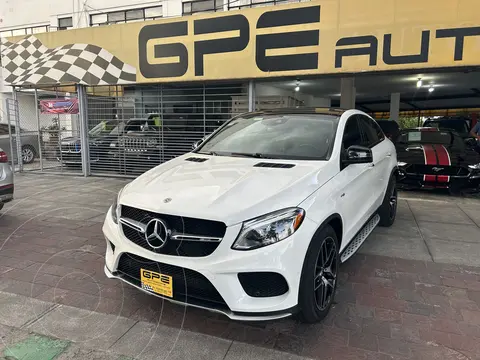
(29, 62)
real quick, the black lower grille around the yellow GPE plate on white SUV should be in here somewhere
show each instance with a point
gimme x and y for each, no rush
(188, 286)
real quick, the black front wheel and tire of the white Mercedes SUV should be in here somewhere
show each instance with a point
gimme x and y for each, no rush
(314, 275)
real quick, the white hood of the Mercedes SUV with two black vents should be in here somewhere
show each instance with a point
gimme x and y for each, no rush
(228, 189)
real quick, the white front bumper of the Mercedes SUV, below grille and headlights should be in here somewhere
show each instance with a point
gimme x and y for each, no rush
(221, 269)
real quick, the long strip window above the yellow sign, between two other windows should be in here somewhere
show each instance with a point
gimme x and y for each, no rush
(125, 16)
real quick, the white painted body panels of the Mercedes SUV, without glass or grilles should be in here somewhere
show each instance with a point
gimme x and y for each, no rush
(231, 190)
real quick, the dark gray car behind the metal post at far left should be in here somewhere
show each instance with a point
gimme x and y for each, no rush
(29, 141)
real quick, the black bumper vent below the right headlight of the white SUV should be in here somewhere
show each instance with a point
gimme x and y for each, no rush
(263, 284)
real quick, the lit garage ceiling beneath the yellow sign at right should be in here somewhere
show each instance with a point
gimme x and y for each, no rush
(452, 89)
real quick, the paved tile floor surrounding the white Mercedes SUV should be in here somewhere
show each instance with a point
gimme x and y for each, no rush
(413, 291)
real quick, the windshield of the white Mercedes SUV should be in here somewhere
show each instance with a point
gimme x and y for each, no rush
(291, 136)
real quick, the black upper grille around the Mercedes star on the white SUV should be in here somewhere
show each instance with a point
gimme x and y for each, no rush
(177, 224)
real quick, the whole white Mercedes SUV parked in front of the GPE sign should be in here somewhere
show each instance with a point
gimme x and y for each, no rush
(256, 220)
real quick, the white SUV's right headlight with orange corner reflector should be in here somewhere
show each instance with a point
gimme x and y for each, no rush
(269, 229)
